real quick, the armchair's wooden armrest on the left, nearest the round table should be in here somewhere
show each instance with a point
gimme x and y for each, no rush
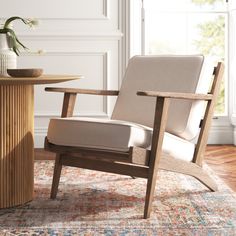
(83, 91)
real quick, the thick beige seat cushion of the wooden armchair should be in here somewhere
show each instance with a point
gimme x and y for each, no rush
(113, 135)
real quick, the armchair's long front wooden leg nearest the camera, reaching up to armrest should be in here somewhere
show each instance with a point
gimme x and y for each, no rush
(160, 120)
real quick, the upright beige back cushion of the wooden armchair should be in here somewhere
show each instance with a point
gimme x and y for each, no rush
(167, 74)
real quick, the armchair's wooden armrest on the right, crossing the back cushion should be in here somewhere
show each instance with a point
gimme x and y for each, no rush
(189, 96)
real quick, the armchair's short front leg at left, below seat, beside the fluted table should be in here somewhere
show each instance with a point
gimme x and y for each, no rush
(56, 176)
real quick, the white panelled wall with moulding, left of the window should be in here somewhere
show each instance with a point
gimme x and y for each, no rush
(80, 37)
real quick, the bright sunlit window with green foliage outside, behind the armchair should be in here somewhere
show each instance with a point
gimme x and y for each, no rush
(188, 27)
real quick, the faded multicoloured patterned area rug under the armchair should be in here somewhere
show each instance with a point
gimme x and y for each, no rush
(97, 203)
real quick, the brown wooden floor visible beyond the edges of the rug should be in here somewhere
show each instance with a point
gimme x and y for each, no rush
(222, 159)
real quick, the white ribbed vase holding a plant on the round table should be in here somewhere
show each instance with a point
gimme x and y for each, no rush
(7, 55)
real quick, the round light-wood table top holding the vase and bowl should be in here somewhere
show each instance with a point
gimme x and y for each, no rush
(43, 79)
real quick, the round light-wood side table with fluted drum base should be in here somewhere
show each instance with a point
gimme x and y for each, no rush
(17, 137)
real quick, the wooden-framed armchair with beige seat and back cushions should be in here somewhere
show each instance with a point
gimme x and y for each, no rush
(140, 137)
